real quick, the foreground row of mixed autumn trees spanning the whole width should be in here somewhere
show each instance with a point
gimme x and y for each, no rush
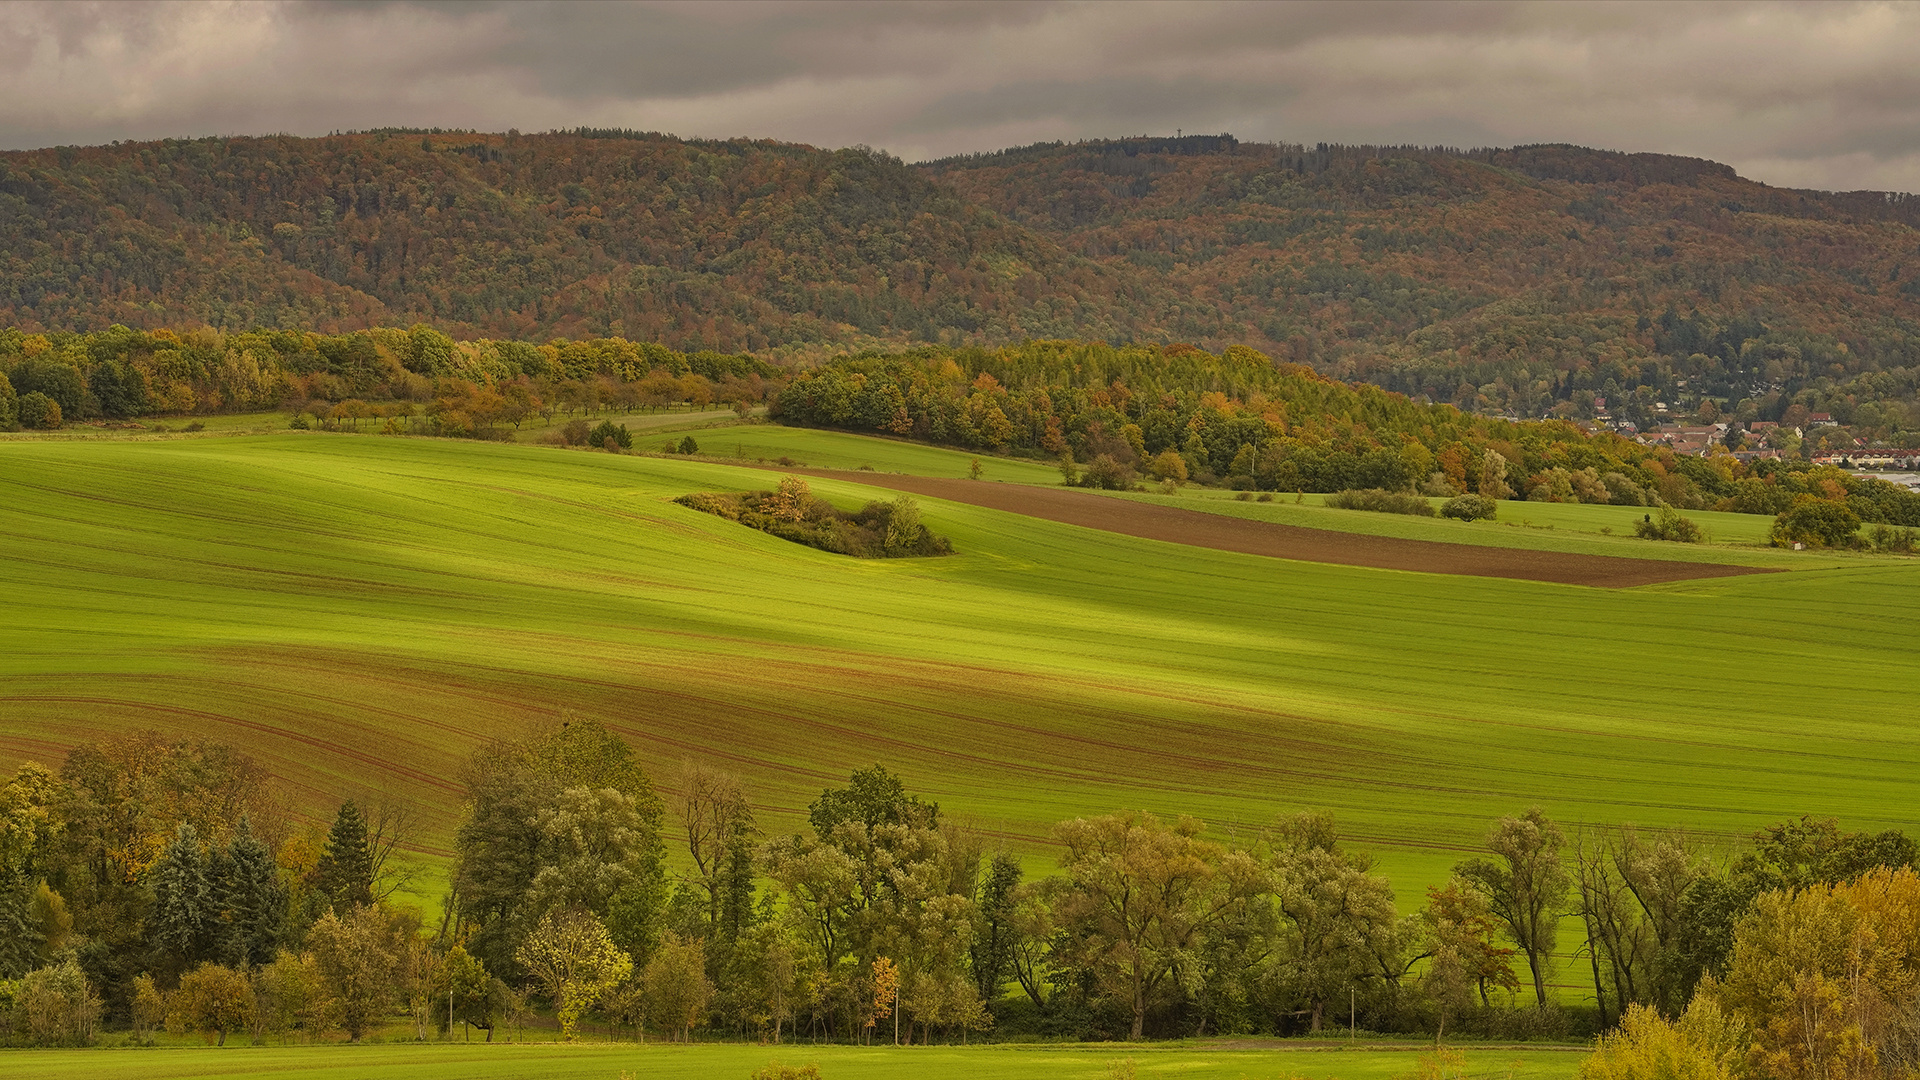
(158, 883)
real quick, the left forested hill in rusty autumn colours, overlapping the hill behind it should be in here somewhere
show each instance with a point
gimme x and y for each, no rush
(704, 245)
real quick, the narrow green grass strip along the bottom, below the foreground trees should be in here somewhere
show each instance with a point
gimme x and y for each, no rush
(713, 1062)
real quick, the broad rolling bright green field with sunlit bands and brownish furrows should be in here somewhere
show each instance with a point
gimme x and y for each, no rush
(364, 612)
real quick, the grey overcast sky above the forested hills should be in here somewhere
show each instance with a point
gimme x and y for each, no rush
(1796, 95)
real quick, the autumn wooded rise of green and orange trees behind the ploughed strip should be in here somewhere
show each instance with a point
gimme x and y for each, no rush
(1239, 420)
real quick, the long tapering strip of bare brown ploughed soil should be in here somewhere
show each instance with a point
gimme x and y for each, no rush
(1291, 541)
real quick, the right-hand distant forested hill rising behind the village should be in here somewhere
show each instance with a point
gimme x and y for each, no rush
(1497, 280)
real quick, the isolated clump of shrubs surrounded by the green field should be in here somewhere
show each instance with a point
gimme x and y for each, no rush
(876, 531)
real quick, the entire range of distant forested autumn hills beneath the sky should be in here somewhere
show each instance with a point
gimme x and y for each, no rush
(1502, 282)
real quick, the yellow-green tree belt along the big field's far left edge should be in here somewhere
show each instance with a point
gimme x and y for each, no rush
(343, 380)
